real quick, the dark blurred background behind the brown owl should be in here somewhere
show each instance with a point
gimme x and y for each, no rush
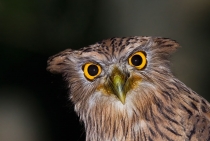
(34, 104)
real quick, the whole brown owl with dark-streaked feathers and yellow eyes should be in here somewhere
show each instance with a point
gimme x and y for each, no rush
(123, 90)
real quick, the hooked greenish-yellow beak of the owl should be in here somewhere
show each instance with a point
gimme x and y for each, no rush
(117, 83)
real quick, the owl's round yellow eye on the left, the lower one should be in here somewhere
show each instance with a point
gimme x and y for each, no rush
(91, 70)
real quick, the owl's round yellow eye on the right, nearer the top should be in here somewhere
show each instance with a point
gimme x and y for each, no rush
(138, 60)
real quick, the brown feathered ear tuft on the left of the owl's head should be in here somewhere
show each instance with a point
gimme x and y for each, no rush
(58, 63)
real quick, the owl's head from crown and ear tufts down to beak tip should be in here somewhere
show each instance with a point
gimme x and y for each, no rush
(114, 70)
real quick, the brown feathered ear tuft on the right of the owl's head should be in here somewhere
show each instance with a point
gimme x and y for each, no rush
(165, 45)
